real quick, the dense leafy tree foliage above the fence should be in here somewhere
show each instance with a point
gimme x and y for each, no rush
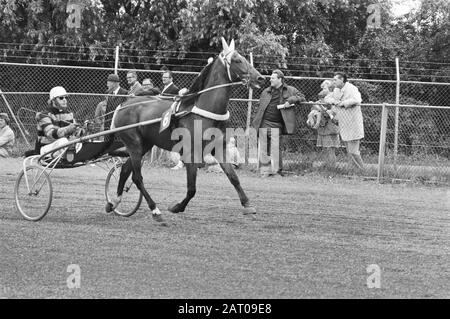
(280, 33)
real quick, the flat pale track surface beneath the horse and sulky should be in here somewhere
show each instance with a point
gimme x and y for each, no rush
(313, 237)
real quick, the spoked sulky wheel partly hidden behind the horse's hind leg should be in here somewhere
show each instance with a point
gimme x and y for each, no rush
(131, 198)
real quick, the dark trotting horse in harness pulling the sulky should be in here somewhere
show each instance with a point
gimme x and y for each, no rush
(206, 104)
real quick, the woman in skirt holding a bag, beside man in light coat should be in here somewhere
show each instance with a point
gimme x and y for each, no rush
(323, 118)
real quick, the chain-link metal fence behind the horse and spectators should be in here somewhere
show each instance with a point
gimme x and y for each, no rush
(422, 151)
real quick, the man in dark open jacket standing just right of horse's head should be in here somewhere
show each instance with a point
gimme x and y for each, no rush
(277, 116)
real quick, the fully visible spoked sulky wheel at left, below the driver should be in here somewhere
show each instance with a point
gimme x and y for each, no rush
(33, 193)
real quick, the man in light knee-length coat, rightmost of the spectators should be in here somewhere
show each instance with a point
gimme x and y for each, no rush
(349, 116)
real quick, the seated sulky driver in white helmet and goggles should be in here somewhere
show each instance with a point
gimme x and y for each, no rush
(55, 125)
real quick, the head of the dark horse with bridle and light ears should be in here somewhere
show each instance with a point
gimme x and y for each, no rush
(238, 68)
